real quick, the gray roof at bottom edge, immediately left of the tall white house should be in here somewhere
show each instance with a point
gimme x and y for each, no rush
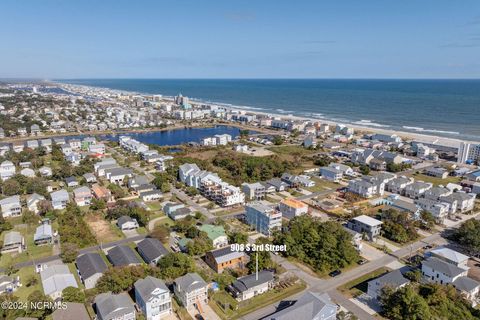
(111, 306)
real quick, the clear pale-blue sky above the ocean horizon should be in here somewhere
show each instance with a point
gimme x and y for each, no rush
(240, 39)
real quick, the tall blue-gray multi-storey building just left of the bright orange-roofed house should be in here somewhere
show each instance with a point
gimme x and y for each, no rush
(263, 217)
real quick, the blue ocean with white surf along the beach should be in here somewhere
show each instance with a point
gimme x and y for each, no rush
(449, 108)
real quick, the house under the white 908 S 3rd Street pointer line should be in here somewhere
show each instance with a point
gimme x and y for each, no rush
(247, 287)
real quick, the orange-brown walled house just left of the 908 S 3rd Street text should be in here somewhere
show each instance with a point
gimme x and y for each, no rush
(225, 258)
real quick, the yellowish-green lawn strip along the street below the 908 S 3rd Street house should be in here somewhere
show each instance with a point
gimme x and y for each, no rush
(253, 304)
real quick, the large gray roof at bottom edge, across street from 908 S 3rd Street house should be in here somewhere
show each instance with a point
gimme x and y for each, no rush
(309, 306)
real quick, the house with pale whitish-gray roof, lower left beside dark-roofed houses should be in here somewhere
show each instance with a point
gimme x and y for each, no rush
(55, 278)
